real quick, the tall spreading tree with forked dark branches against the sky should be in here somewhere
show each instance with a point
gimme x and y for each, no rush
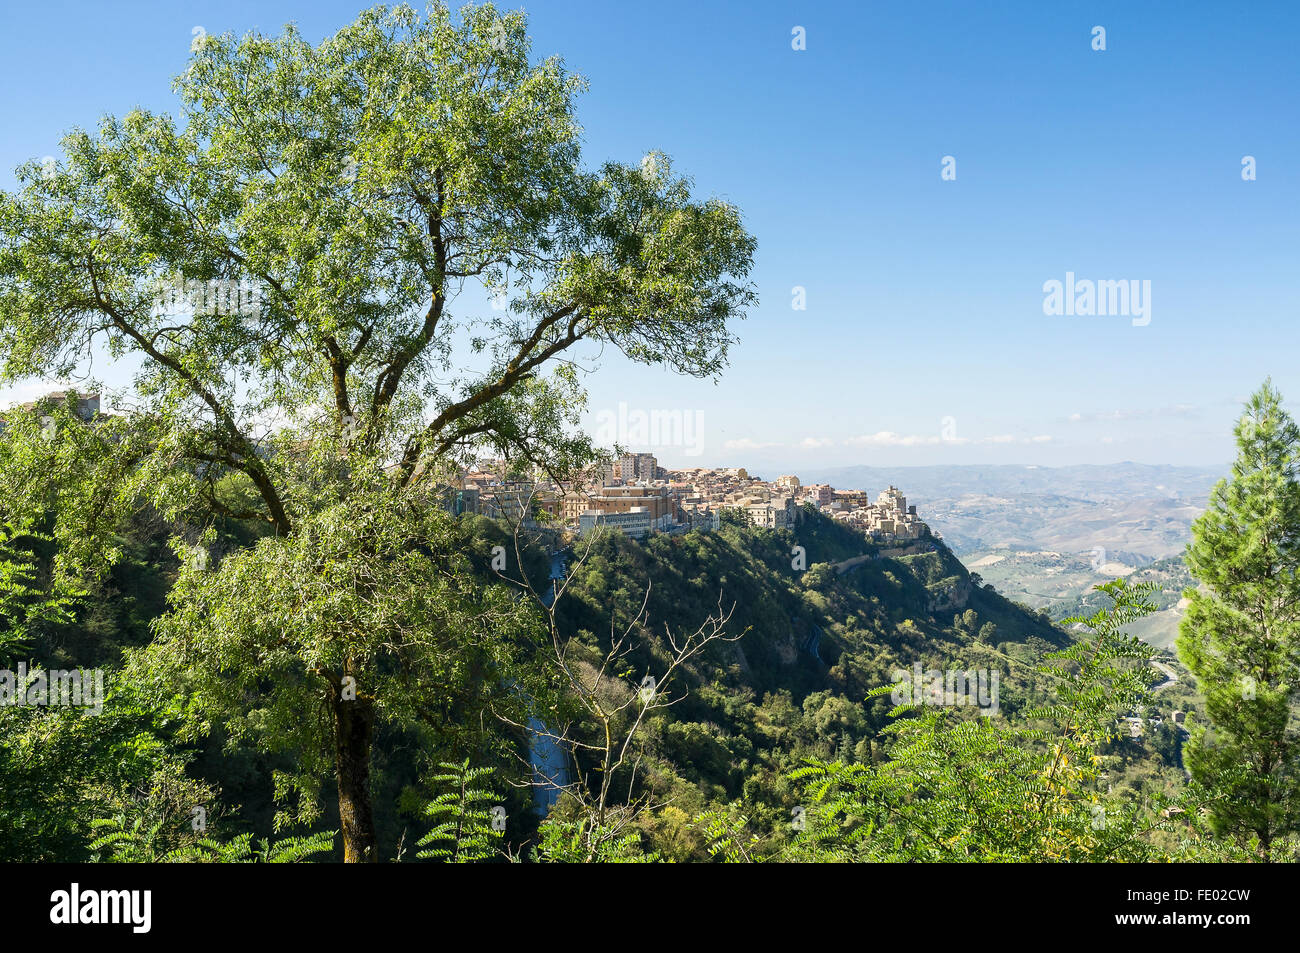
(287, 266)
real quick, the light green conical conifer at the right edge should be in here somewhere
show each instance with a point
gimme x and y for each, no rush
(1241, 636)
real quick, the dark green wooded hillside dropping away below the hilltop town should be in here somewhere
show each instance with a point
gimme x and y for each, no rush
(814, 644)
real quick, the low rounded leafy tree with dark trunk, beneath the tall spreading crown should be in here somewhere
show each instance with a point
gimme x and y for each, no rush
(367, 617)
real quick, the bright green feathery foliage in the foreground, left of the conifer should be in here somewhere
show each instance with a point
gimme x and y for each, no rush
(961, 790)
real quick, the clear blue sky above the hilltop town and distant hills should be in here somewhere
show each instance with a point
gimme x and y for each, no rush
(925, 339)
